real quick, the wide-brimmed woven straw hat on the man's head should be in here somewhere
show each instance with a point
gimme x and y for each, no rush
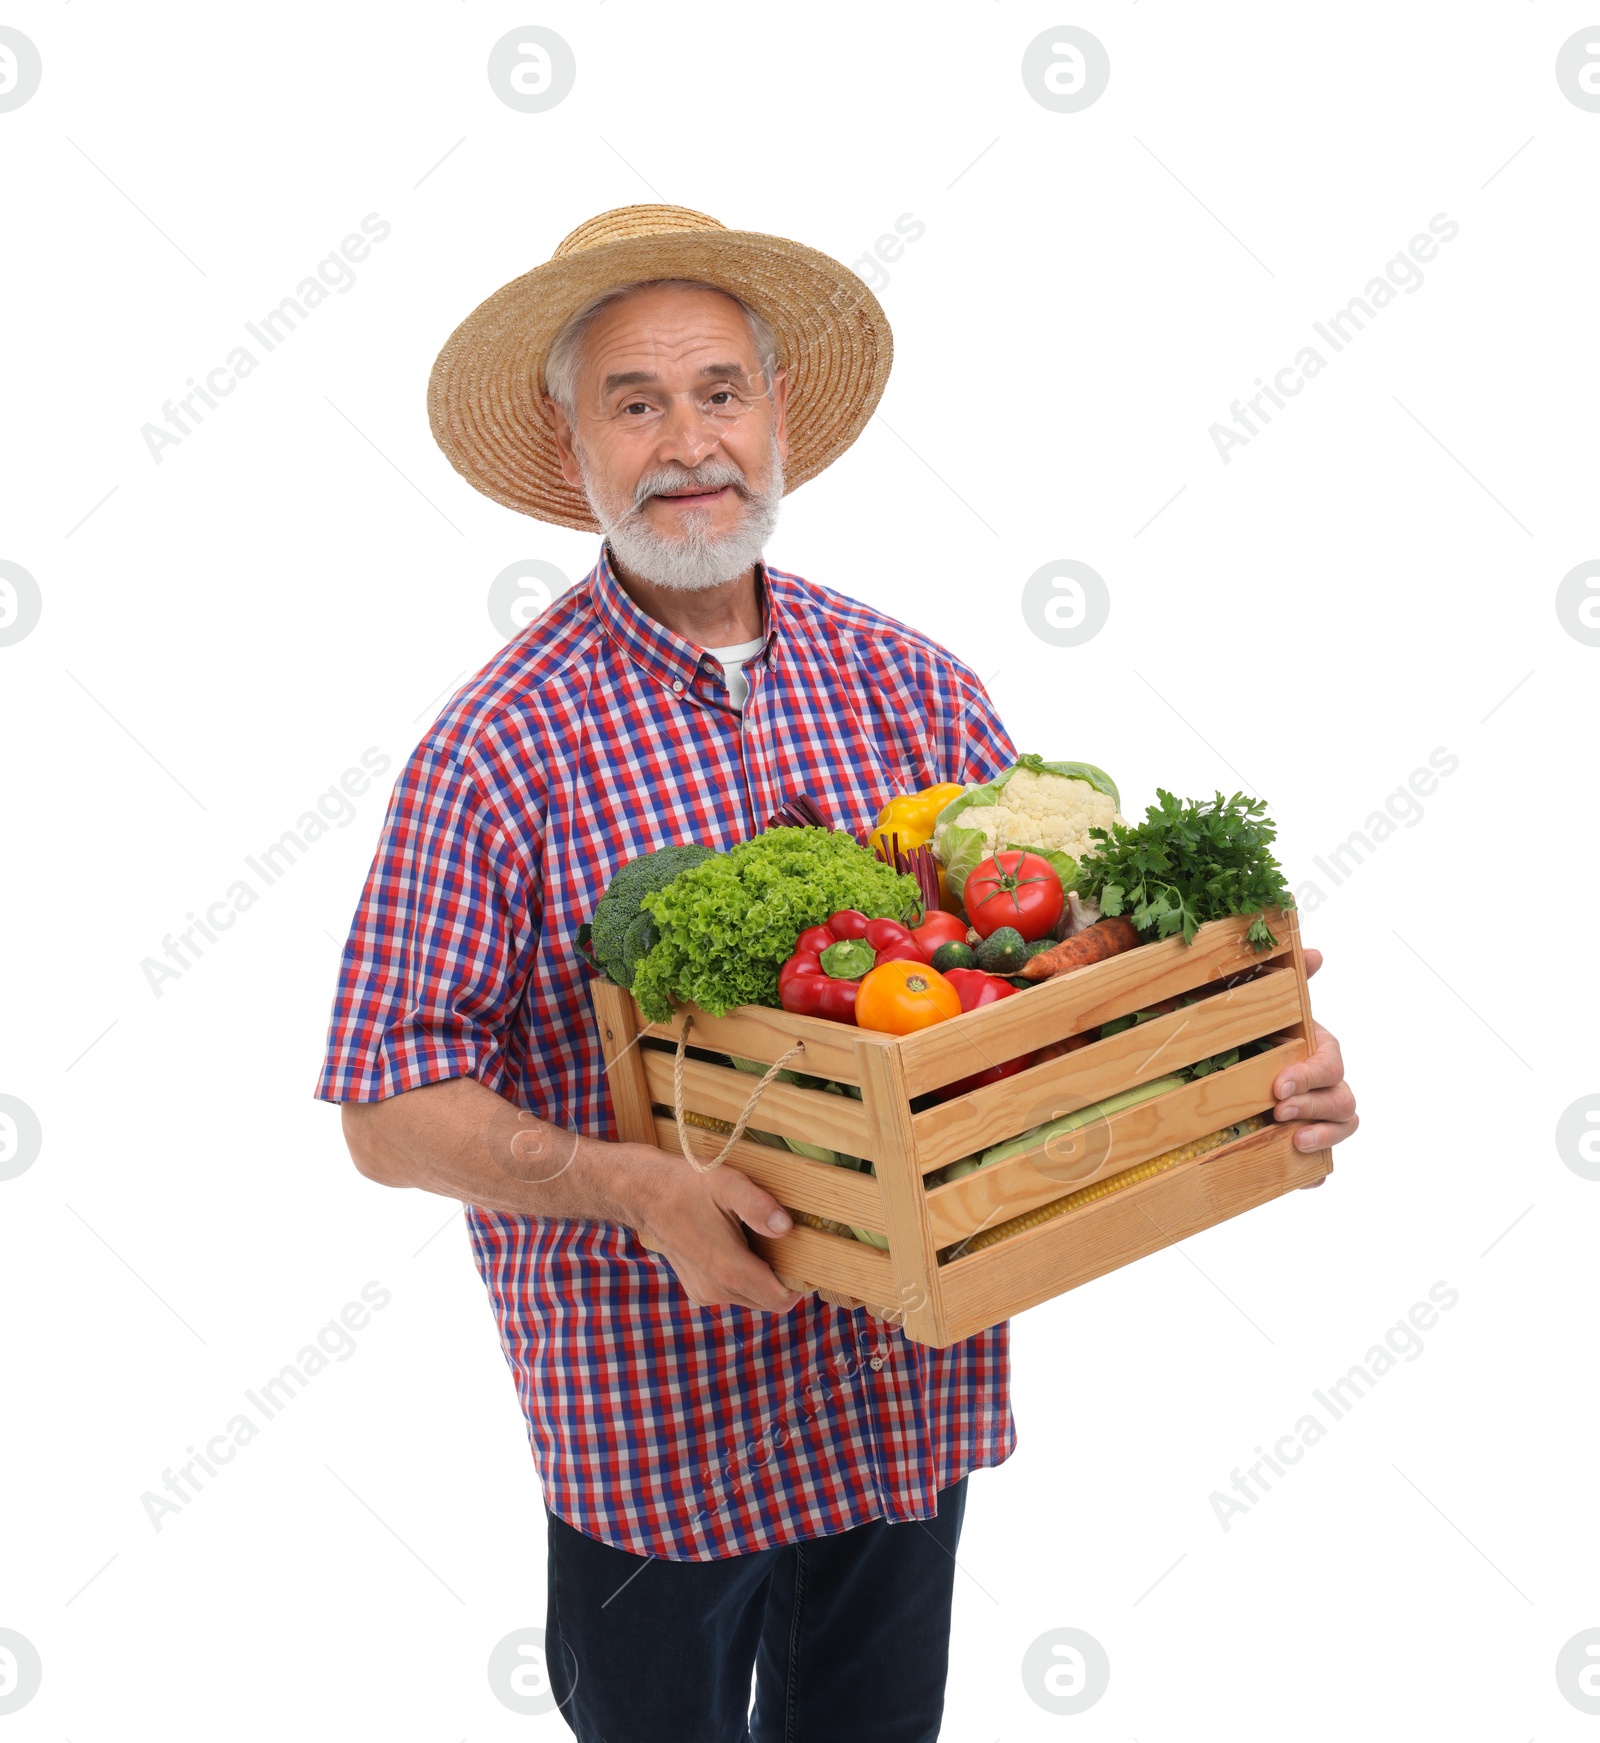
(485, 397)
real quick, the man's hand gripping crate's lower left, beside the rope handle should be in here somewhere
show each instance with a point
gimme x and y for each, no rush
(695, 1219)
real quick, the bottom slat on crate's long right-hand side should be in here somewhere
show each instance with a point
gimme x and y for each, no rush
(1094, 1240)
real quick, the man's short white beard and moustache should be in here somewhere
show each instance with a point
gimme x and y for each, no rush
(693, 560)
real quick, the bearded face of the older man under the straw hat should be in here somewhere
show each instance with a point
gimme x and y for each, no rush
(677, 437)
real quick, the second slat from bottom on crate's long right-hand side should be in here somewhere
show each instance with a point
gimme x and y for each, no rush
(1109, 1146)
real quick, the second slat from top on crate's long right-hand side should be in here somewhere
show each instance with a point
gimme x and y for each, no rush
(1000, 1111)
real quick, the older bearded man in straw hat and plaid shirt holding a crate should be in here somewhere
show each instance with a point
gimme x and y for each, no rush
(738, 1479)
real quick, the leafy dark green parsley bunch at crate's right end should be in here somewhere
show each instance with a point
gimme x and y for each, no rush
(1190, 862)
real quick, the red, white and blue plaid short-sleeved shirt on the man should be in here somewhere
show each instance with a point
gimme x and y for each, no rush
(658, 1427)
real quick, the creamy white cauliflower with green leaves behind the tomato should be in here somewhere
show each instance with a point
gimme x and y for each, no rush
(1048, 808)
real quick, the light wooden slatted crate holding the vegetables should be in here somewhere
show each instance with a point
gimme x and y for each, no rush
(942, 1303)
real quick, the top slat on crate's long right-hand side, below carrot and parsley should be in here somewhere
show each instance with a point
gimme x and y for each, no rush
(1083, 1000)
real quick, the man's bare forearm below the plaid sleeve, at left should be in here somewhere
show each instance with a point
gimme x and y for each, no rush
(466, 1143)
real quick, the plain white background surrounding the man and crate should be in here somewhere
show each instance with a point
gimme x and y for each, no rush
(1369, 580)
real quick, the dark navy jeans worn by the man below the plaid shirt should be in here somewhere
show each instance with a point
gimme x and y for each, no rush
(850, 1638)
